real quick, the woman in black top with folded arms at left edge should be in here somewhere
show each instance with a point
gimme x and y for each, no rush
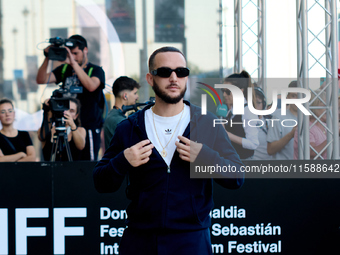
(15, 145)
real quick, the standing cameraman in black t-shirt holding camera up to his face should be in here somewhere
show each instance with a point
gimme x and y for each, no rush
(77, 71)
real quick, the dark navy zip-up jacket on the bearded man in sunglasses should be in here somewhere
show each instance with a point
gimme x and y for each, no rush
(163, 200)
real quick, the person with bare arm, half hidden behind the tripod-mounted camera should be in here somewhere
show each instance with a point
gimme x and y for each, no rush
(76, 135)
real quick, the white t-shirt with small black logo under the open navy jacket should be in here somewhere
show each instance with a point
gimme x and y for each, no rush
(165, 128)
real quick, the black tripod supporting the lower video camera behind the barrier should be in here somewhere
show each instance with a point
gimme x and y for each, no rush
(59, 142)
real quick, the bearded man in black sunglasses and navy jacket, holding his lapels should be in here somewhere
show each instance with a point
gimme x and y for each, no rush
(169, 212)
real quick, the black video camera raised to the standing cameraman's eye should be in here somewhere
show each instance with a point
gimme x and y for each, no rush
(56, 52)
